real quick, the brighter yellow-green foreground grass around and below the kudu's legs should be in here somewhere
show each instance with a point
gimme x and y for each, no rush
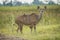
(49, 32)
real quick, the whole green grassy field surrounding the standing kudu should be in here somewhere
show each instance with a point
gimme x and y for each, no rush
(47, 29)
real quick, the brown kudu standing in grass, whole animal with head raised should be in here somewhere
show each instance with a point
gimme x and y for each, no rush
(30, 20)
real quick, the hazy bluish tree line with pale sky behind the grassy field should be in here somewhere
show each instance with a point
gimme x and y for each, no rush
(34, 2)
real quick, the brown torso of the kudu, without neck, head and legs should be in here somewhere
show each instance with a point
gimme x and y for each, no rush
(27, 19)
